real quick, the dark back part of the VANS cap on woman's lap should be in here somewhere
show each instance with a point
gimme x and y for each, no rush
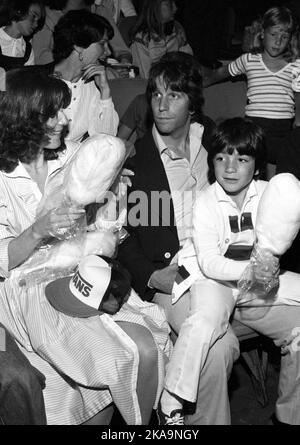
(120, 281)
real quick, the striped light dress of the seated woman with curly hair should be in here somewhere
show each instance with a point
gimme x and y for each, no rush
(88, 363)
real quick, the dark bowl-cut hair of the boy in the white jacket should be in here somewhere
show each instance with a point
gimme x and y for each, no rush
(242, 135)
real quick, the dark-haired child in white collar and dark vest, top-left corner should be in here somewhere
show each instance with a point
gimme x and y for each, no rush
(19, 20)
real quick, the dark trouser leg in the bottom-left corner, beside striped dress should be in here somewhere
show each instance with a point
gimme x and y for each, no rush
(21, 396)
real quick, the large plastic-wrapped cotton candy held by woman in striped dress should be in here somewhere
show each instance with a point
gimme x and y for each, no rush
(84, 180)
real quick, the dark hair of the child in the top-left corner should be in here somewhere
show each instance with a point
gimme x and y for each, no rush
(17, 10)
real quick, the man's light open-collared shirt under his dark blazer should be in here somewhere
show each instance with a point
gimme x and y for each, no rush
(185, 177)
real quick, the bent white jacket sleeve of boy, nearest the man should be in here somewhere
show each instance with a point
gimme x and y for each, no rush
(207, 241)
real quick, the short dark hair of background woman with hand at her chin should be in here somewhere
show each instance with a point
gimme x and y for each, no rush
(81, 28)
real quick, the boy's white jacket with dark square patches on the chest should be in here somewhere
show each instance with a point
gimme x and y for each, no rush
(214, 233)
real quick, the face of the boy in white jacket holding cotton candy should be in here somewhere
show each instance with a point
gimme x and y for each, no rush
(234, 173)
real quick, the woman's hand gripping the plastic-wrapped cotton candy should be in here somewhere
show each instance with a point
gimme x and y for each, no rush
(55, 221)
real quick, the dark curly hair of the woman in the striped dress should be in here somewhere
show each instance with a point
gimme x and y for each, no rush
(31, 98)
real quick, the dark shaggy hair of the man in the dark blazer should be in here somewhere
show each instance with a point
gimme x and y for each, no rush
(180, 72)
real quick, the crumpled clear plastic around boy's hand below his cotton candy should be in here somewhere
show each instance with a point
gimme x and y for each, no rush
(259, 283)
